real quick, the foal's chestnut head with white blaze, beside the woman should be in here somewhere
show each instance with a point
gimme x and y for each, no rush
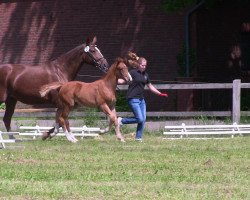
(122, 70)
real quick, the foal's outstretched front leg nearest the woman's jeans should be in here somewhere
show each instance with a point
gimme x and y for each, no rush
(111, 113)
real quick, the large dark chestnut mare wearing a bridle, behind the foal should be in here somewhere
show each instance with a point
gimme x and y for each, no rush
(19, 82)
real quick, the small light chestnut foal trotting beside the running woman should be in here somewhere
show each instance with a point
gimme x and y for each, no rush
(100, 93)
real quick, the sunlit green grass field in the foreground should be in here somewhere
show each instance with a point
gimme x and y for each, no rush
(108, 169)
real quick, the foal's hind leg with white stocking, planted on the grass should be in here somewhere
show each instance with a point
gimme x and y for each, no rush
(63, 121)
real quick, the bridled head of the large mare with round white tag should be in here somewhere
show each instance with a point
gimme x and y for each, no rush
(94, 56)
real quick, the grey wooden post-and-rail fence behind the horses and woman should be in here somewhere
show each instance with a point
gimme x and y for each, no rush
(235, 113)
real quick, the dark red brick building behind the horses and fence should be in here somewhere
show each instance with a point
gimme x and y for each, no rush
(34, 32)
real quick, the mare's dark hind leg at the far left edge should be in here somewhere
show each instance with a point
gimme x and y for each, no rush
(10, 107)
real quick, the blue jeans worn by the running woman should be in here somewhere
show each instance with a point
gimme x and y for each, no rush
(138, 107)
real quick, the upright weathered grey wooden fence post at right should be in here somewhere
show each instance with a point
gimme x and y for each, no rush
(236, 101)
